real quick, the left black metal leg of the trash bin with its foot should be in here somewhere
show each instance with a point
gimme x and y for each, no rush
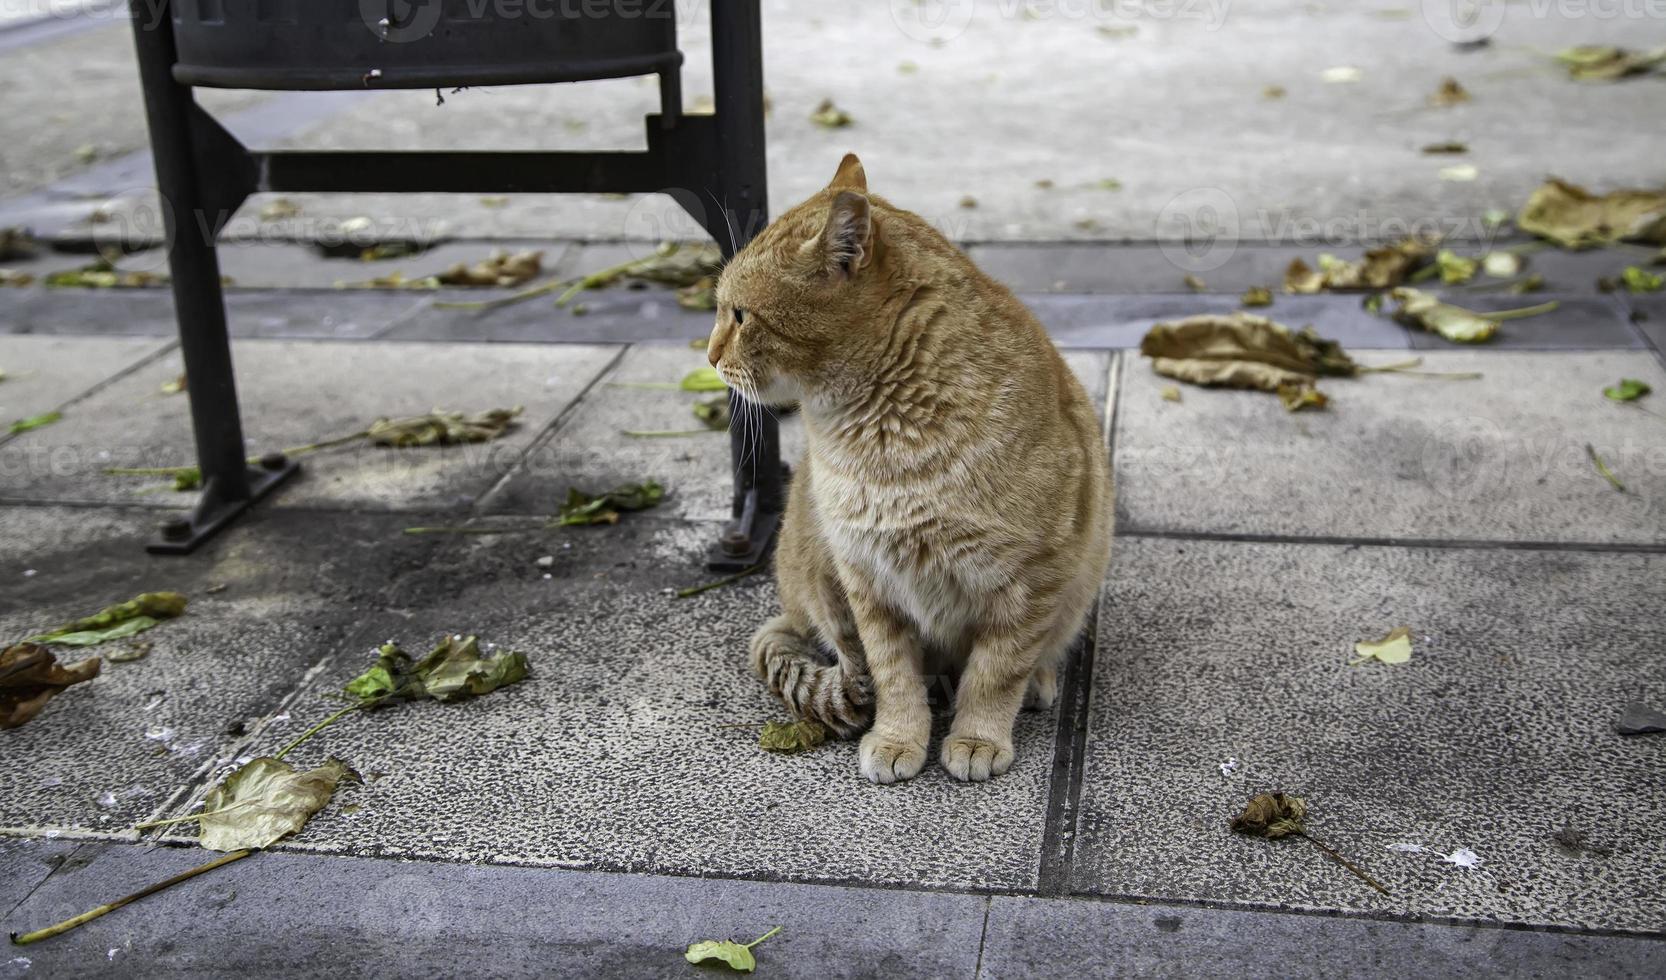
(229, 484)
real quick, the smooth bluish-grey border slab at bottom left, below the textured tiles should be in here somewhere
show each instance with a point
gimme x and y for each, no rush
(522, 922)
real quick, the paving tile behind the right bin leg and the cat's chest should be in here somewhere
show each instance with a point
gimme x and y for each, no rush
(592, 452)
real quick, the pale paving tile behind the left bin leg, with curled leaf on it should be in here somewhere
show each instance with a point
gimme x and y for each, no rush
(297, 392)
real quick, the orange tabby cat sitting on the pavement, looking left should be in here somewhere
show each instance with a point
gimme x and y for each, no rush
(954, 511)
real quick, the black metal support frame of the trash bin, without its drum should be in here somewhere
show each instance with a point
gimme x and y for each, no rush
(711, 164)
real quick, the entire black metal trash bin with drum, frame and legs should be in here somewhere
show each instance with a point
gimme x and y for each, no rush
(204, 172)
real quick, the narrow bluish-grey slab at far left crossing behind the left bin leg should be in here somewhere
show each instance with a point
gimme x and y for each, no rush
(297, 314)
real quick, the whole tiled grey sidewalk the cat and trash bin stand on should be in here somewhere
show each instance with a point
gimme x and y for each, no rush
(1255, 547)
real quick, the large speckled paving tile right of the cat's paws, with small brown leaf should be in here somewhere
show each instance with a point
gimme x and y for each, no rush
(1490, 739)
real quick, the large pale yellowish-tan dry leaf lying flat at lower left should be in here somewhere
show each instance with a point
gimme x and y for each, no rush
(266, 801)
